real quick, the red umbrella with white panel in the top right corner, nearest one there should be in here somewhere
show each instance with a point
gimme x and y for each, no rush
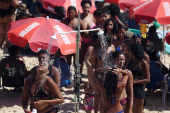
(147, 11)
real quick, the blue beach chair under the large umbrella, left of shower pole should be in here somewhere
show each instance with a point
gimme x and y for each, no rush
(64, 70)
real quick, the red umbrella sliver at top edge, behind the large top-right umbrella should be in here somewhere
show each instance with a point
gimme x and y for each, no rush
(126, 4)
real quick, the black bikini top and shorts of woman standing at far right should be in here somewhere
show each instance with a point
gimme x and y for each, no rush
(138, 89)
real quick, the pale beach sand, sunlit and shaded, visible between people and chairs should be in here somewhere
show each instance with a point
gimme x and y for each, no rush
(10, 101)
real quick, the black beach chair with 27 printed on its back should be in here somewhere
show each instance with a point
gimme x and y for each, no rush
(12, 71)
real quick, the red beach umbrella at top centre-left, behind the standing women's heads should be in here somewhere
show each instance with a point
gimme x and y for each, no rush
(51, 4)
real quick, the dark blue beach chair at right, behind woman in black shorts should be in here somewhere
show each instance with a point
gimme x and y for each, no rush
(155, 75)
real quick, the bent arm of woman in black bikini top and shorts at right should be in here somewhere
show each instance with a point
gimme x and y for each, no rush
(146, 73)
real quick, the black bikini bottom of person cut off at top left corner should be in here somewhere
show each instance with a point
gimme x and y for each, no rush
(4, 12)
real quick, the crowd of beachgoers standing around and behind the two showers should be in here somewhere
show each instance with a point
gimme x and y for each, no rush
(117, 65)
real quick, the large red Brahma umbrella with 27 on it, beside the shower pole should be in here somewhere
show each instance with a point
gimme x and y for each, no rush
(38, 31)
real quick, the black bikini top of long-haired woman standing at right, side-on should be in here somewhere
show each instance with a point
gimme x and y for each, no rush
(137, 71)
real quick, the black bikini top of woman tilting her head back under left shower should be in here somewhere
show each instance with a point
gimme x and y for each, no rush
(40, 93)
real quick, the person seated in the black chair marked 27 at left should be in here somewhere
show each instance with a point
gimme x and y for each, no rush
(13, 57)
